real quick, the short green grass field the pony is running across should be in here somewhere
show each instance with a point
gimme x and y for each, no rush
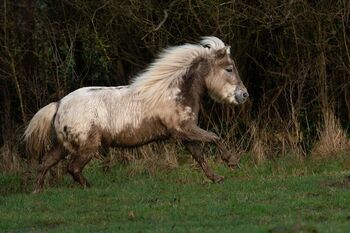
(279, 196)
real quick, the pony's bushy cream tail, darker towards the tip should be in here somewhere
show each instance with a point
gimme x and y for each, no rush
(38, 135)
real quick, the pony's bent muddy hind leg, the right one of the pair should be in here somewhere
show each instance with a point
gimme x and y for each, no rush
(76, 166)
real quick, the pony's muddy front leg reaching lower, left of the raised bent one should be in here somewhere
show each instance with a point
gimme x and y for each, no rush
(194, 149)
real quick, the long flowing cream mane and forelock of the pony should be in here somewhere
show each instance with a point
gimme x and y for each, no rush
(164, 75)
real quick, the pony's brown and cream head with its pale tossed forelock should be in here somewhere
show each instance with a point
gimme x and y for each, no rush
(223, 81)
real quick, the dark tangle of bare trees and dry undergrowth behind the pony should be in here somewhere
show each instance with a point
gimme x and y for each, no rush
(293, 56)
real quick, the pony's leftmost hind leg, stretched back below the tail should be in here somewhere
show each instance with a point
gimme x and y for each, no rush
(51, 158)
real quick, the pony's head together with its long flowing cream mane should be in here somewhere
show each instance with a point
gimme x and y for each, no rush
(210, 59)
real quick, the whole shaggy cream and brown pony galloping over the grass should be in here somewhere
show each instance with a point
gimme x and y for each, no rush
(161, 103)
